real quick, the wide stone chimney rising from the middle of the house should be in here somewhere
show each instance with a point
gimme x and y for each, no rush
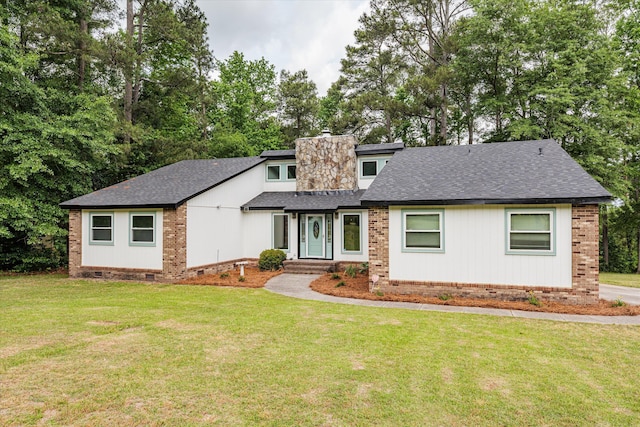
(326, 162)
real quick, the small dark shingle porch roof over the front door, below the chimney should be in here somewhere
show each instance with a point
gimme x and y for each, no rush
(311, 201)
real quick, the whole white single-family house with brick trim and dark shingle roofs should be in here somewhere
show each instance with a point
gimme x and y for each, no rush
(491, 220)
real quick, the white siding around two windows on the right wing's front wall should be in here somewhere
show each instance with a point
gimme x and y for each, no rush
(474, 238)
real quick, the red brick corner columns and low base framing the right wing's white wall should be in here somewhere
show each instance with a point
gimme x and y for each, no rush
(585, 258)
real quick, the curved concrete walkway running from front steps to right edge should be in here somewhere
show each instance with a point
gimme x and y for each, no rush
(297, 286)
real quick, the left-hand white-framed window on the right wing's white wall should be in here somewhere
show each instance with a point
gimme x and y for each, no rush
(423, 230)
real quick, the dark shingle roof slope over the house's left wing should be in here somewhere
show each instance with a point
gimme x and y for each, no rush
(169, 186)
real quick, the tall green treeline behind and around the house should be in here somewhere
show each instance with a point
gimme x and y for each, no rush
(91, 95)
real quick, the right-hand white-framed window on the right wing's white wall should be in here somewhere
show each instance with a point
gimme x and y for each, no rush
(530, 231)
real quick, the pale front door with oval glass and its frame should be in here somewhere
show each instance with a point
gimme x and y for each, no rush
(316, 235)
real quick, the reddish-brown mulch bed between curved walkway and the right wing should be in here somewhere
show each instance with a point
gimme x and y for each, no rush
(358, 287)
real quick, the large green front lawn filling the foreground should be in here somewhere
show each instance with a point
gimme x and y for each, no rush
(104, 353)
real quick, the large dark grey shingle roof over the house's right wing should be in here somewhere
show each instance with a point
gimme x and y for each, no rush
(508, 172)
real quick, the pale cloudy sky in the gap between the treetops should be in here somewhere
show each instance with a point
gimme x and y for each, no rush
(290, 34)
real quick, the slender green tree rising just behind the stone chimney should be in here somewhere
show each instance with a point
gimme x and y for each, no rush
(298, 105)
